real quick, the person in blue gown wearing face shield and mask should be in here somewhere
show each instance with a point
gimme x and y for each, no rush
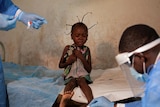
(139, 53)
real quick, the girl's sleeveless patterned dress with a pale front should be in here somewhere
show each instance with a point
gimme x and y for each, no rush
(76, 69)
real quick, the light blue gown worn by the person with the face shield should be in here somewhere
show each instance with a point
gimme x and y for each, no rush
(152, 90)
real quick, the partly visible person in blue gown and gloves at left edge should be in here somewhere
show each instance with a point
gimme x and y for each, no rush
(9, 15)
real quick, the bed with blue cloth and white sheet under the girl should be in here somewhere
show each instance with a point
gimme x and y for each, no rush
(37, 86)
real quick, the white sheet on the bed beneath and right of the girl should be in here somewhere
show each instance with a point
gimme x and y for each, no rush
(110, 83)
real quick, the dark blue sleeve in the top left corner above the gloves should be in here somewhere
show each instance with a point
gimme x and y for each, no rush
(7, 7)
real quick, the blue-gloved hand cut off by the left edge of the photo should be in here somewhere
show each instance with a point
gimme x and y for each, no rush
(7, 22)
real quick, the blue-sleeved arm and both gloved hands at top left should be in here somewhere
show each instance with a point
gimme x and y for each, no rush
(10, 13)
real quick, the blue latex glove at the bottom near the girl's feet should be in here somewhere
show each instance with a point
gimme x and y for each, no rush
(101, 102)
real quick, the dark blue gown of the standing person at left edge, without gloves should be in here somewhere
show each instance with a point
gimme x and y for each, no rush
(6, 7)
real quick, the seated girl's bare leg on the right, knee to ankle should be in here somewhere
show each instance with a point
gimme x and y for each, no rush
(85, 88)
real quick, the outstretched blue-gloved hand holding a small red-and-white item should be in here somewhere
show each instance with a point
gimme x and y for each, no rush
(36, 21)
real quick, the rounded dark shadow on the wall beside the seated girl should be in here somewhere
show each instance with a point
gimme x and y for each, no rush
(105, 56)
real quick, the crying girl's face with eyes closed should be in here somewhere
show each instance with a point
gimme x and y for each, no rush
(79, 36)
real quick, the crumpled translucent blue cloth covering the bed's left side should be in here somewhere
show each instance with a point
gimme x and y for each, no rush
(32, 86)
